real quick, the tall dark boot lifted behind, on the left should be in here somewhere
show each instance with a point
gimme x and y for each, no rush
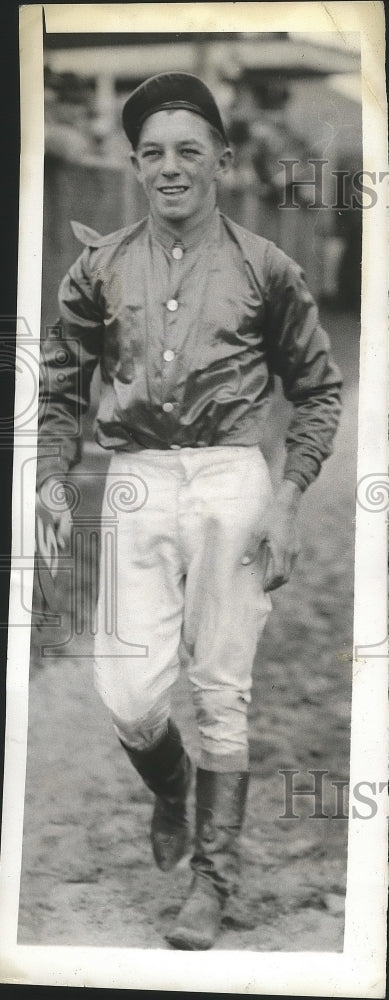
(166, 770)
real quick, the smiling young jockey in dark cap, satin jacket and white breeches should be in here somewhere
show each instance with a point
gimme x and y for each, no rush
(190, 316)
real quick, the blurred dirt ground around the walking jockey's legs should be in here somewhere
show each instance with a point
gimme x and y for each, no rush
(87, 876)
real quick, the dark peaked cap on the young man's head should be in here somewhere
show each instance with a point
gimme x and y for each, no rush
(170, 90)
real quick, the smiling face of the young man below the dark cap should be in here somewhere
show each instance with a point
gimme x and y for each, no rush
(178, 161)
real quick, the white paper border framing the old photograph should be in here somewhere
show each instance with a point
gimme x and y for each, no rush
(360, 970)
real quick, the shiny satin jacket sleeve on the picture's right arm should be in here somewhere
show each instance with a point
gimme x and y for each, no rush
(299, 352)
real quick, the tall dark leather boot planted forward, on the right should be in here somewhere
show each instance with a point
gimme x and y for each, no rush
(221, 800)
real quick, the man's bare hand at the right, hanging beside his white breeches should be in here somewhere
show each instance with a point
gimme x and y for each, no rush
(277, 544)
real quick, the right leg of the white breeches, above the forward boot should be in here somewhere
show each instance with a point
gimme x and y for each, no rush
(225, 604)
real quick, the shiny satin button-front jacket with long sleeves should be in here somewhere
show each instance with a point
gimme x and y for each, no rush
(188, 337)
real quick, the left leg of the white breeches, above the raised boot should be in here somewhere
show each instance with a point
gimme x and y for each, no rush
(140, 605)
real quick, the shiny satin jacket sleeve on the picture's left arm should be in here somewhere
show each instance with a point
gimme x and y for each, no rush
(69, 356)
